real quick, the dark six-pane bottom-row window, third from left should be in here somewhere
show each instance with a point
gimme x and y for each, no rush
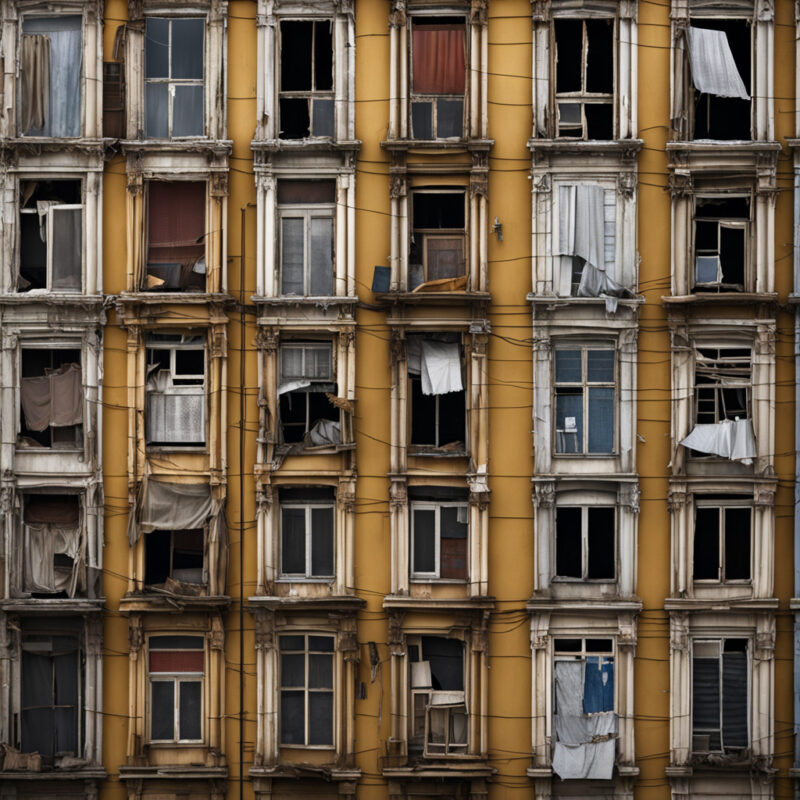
(307, 669)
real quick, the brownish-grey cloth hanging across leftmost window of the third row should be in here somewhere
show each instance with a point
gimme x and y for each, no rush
(53, 399)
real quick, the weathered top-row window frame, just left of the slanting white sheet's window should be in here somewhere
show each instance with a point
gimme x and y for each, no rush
(583, 97)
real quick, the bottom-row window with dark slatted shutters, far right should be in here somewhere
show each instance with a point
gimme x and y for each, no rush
(719, 696)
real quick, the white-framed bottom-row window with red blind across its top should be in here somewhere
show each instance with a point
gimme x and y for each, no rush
(176, 670)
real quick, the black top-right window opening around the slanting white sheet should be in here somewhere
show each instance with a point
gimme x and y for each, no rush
(726, 117)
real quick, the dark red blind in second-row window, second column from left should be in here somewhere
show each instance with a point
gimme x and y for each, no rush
(177, 220)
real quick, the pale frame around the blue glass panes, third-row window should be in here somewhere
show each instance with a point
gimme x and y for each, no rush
(585, 385)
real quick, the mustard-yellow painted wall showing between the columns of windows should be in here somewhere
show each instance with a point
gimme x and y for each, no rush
(509, 374)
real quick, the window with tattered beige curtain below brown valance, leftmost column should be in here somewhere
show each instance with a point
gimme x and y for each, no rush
(54, 556)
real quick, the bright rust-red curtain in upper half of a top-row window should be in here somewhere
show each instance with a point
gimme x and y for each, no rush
(439, 63)
